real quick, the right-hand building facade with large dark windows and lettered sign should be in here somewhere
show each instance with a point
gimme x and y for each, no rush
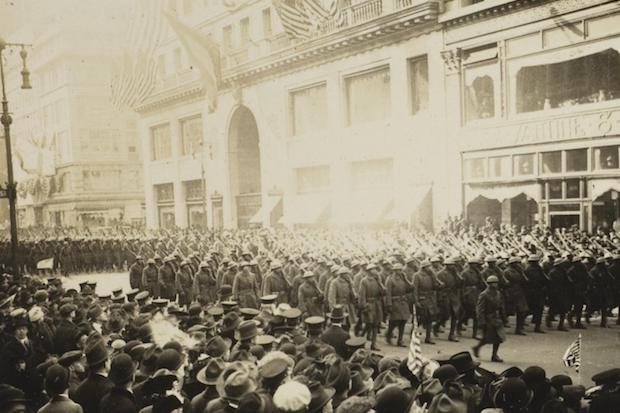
(533, 89)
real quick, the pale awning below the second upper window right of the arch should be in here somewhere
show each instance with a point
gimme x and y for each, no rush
(366, 209)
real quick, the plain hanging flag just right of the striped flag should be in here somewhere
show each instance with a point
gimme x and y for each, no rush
(204, 53)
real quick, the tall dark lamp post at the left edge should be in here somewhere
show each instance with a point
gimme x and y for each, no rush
(9, 191)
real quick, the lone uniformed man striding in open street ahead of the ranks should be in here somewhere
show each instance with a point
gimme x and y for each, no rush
(491, 317)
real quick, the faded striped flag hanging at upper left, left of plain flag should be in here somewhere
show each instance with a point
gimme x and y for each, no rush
(135, 77)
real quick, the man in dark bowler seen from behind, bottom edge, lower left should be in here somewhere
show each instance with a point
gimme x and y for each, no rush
(120, 399)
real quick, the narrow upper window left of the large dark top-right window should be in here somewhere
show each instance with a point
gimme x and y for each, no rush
(480, 92)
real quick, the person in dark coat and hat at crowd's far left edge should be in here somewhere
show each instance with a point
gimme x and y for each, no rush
(16, 364)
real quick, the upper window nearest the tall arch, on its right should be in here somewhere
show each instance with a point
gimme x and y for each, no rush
(309, 109)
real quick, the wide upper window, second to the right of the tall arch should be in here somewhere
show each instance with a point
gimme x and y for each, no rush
(368, 96)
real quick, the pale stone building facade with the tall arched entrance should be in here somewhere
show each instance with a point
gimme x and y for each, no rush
(345, 128)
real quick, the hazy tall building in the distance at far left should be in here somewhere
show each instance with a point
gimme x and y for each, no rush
(77, 158)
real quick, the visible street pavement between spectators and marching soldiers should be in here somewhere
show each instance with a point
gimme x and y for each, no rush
(600, 347)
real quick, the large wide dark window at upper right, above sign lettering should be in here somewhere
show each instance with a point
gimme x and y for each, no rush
(587, 79)
